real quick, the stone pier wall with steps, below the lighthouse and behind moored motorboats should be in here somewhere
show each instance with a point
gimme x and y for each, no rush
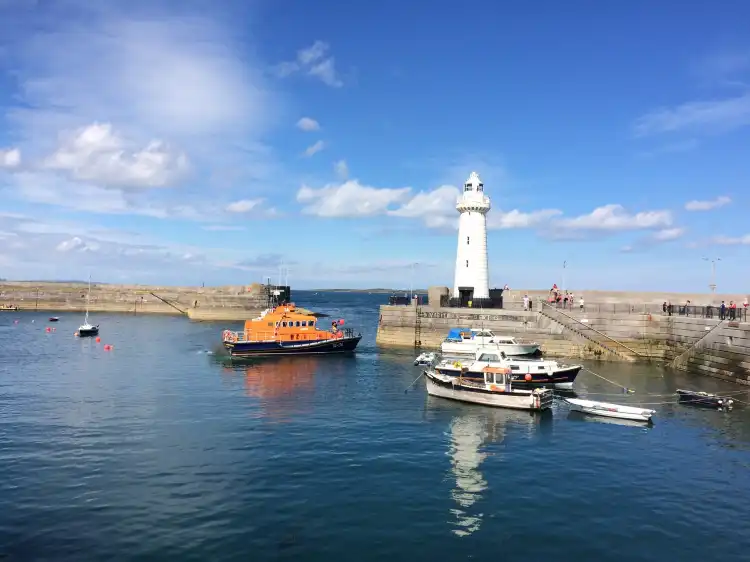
(694, 343)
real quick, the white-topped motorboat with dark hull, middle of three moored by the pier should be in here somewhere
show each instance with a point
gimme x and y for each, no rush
(525, 372)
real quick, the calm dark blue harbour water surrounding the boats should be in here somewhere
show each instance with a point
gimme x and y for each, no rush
(158, 450)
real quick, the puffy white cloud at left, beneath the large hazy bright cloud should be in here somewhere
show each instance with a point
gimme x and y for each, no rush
(96, 154)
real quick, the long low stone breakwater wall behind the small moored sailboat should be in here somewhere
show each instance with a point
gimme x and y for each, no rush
(233, 303)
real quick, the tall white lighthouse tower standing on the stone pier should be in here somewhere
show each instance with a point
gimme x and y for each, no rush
(472, 279)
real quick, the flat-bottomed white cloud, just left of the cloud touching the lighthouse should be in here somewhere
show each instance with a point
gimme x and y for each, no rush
(350, 199)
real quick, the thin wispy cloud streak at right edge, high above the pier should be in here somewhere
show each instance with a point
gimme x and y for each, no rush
(699, 117)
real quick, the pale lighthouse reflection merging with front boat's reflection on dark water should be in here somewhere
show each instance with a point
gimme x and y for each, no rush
(471, 429)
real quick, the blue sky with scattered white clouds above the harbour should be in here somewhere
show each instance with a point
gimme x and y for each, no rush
(196, 141)
